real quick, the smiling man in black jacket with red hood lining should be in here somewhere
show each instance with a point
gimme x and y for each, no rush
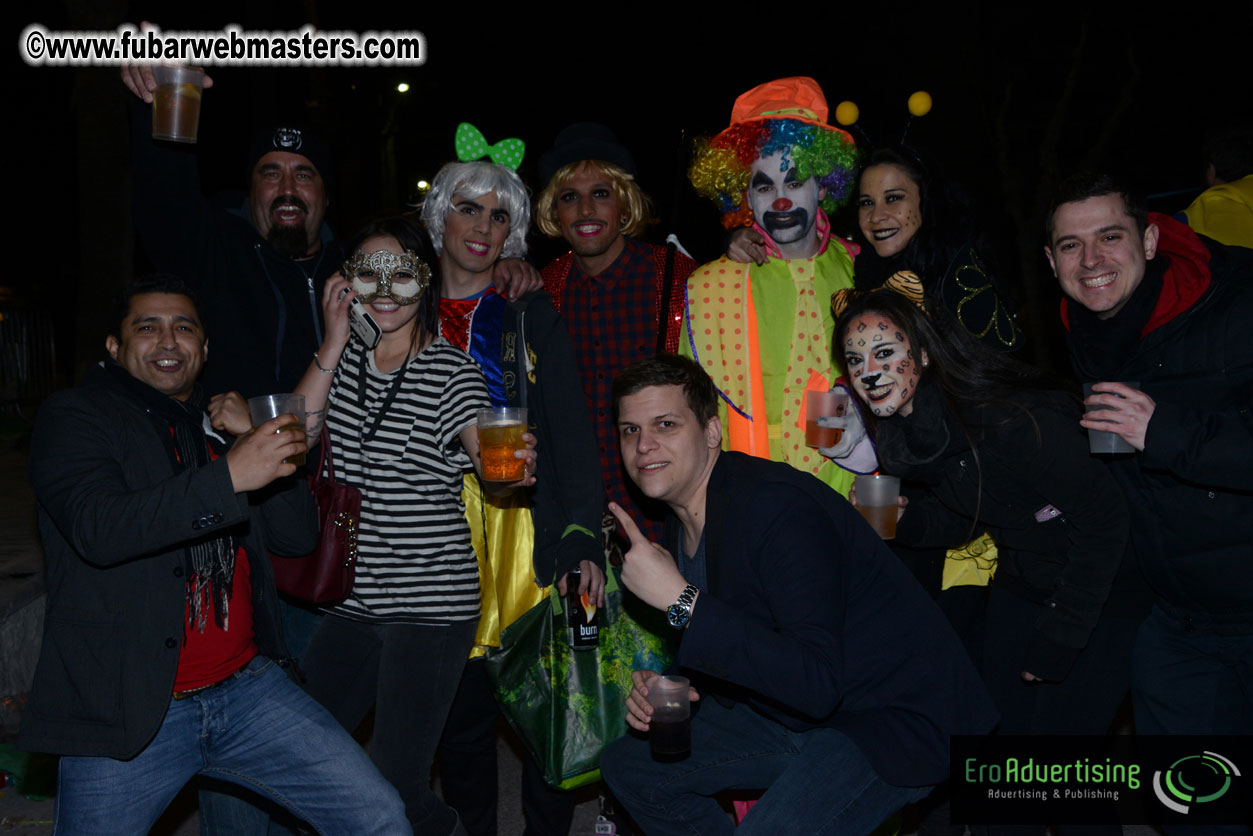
(1153, 304)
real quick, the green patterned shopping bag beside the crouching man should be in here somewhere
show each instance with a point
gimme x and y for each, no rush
(568, 705)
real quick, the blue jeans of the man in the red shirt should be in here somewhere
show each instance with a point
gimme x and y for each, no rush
(257, 730)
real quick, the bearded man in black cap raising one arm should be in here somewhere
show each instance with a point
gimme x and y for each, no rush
(259, 268)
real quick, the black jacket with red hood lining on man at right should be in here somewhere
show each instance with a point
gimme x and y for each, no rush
(1191, 491)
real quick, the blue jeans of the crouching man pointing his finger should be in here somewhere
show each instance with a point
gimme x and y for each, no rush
(816, 781)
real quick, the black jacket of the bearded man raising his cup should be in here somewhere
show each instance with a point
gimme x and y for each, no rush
(265, 311)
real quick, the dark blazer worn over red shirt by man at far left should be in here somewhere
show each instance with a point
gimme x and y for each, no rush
(115, 520)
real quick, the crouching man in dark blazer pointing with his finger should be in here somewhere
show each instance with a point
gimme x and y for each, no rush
(824, 674)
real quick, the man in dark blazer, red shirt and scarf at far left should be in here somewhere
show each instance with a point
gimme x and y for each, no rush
(162, 640)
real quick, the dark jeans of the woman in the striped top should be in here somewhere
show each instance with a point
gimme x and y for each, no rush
(409, 674)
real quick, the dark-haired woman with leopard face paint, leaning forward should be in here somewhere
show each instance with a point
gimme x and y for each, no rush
(985, 443)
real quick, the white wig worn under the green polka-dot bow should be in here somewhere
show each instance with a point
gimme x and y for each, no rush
(473, 181)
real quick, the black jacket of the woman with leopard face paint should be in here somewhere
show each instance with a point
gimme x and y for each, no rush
(1058, 517)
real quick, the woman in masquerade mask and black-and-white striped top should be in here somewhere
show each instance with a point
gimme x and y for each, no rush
(403, 419)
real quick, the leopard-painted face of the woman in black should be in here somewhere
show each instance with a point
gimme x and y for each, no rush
(881, 363)
